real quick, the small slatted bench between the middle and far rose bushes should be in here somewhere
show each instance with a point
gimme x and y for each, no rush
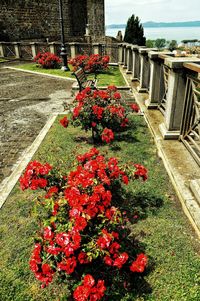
(82, 80)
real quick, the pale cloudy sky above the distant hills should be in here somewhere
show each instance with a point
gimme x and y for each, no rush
(118, 11)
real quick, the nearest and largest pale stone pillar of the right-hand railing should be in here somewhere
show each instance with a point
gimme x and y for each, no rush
(170, 129)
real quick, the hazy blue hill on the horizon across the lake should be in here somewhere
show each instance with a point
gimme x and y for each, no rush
(161, 24)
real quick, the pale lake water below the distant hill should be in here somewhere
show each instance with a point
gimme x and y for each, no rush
(168, 33)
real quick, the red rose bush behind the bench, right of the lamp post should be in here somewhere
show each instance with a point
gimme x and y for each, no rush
(92, 64)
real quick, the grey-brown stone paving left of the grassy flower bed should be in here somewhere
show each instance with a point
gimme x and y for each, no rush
(26, 102)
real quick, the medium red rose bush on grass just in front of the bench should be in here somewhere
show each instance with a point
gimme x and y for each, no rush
(104, 112)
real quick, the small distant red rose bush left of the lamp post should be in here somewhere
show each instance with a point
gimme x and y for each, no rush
(47, 60)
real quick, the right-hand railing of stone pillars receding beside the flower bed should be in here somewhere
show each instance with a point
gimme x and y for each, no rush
(173, 87)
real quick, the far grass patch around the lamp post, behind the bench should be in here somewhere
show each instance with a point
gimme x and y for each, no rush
(111, 77)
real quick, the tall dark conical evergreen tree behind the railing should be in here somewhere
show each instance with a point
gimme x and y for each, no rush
(134, 32)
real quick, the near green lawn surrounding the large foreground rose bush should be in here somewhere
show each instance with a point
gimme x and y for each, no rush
(163, 231)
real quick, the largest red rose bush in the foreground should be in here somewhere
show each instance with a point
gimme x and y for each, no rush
(82, 228)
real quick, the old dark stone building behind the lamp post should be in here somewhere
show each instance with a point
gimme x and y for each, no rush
(30, 20)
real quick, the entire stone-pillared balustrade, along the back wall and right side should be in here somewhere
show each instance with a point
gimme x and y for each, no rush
(160, 74)
